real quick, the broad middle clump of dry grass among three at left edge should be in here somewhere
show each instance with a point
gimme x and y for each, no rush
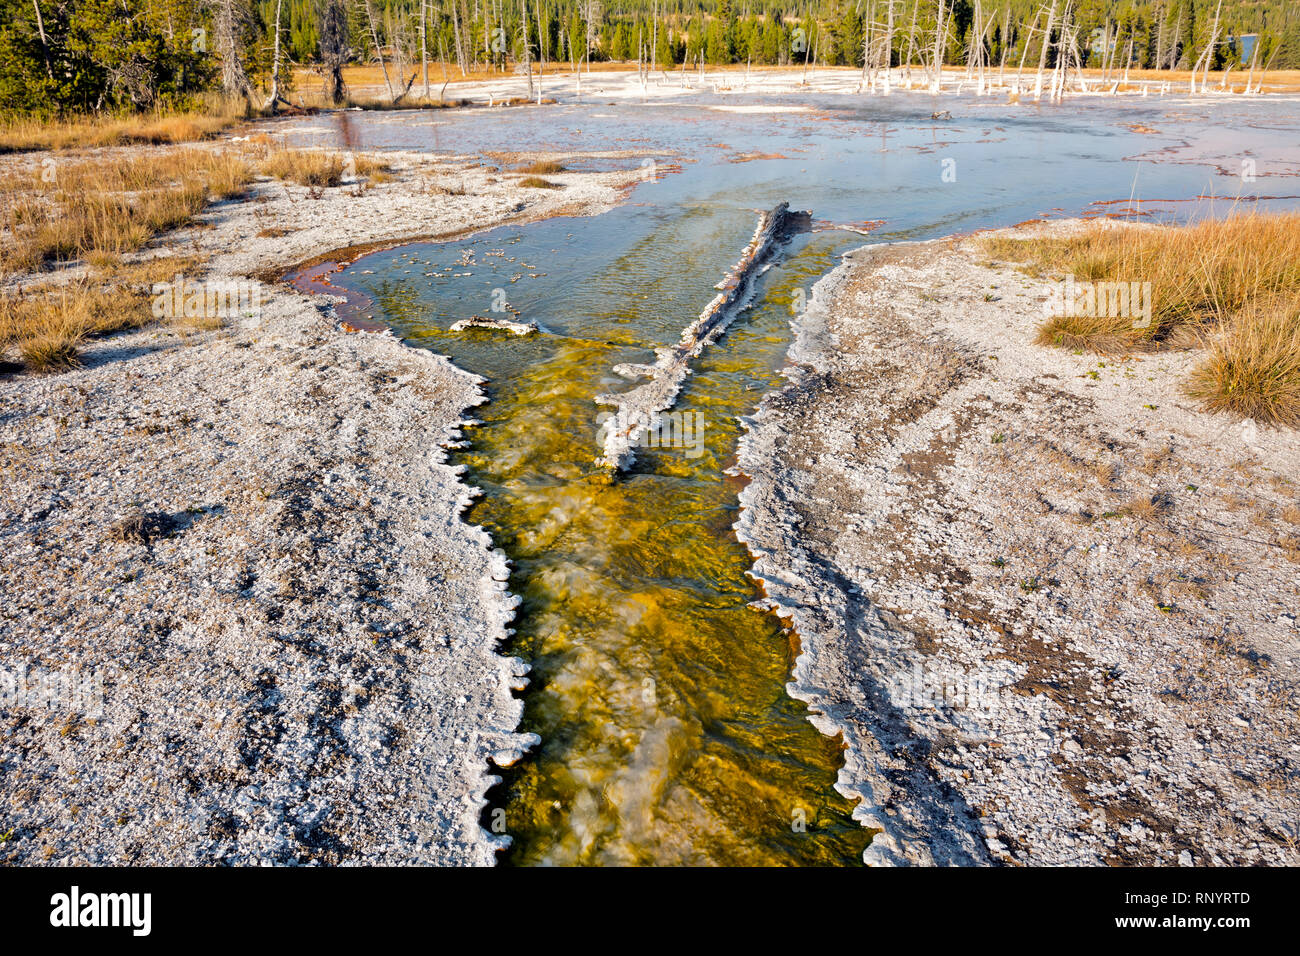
(97, 210)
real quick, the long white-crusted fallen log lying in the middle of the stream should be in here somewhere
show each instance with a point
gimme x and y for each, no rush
(639, 408)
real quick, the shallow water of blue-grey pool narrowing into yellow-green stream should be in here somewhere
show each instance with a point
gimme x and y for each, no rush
(658, 693)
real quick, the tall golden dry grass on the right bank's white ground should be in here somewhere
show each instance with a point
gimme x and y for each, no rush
(1229, 285)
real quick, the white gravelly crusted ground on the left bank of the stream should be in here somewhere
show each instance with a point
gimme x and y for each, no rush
(244, 550)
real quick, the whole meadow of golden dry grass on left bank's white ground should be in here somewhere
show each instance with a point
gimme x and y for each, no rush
(97, 211)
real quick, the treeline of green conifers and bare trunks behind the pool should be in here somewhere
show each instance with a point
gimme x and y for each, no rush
(59, 57)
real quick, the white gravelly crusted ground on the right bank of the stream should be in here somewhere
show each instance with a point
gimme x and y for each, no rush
(1050, 604)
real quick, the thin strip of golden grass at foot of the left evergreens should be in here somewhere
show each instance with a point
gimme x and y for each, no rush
(20, 135)
